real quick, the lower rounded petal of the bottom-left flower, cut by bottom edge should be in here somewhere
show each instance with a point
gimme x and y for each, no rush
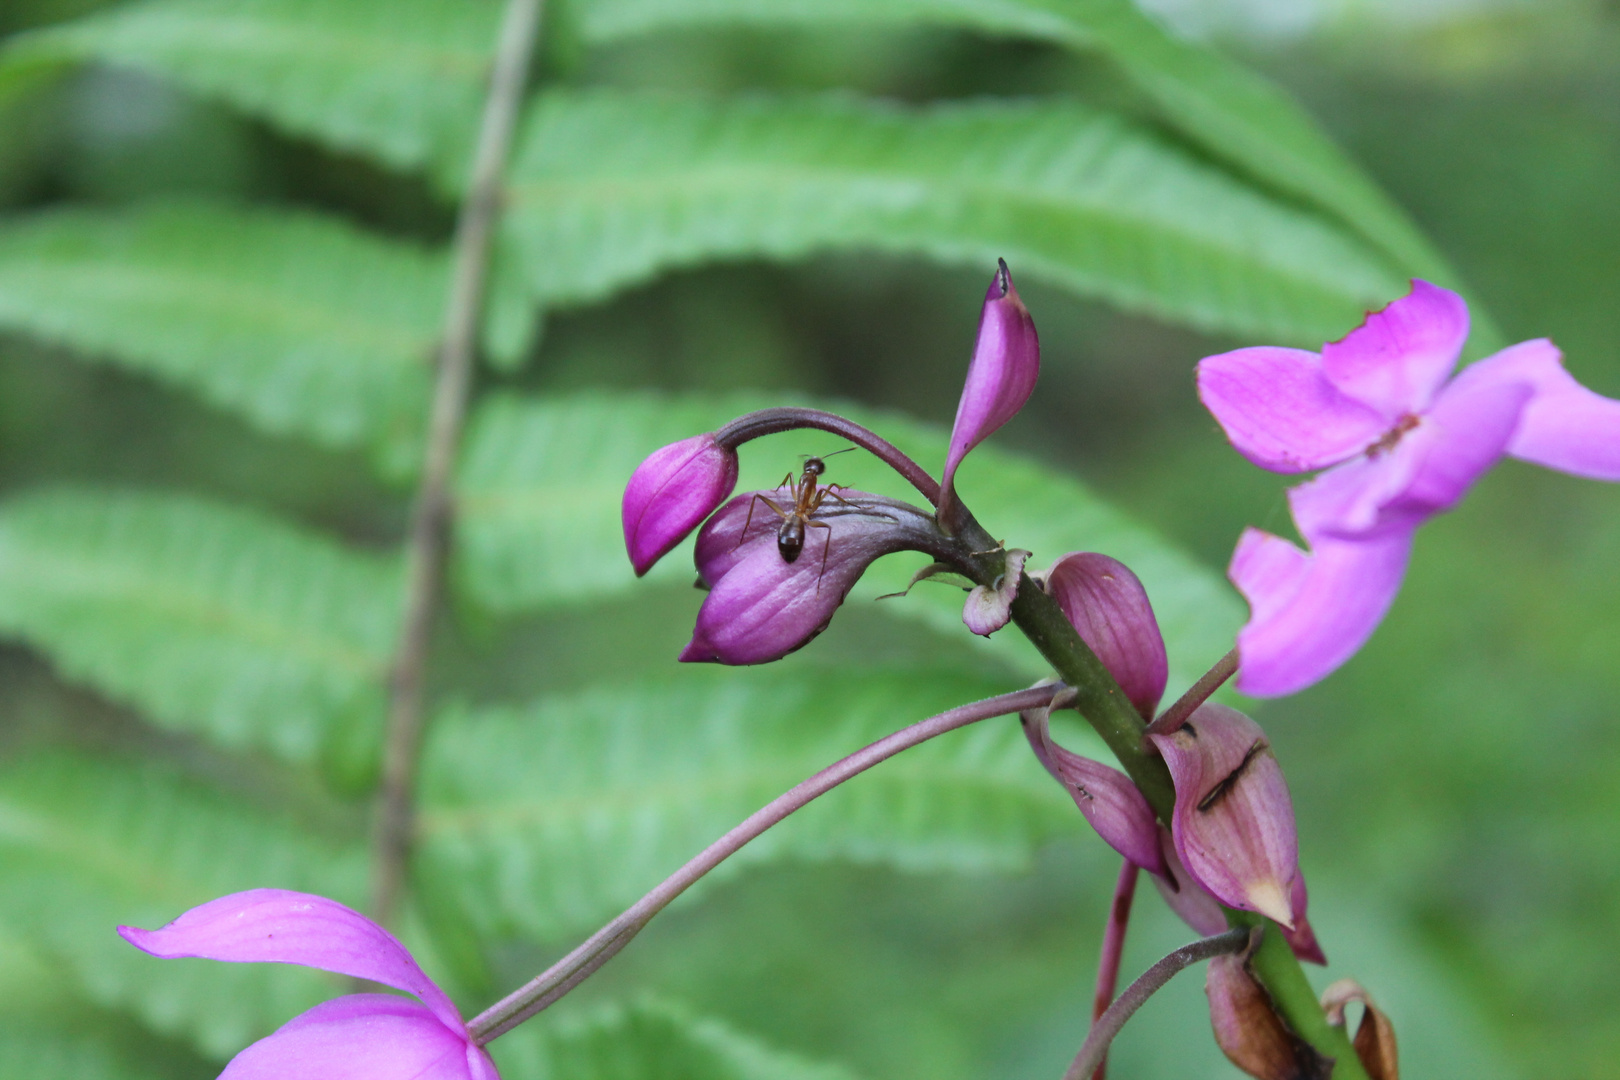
(362, 1037)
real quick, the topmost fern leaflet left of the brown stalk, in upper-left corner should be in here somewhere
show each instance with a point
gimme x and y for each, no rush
(399, 80)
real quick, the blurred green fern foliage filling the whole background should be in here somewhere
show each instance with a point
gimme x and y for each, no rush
(1454, 783)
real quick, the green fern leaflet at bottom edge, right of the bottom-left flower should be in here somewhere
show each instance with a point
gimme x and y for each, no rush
(647, 1040)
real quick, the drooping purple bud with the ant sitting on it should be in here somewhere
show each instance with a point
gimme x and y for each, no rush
(762, 606)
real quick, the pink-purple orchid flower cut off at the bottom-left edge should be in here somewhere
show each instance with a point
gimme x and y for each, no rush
(359, 1037)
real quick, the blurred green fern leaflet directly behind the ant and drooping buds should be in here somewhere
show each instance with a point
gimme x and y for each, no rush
(542, 482)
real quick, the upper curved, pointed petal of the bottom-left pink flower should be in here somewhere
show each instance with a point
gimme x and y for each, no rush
(284, 927)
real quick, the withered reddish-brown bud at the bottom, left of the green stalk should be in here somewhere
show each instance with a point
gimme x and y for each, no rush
(1250, 1032)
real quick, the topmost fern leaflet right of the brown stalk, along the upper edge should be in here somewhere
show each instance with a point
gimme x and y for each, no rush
(1222, 108)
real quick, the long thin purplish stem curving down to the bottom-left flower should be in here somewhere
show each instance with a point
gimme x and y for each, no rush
(600, 948)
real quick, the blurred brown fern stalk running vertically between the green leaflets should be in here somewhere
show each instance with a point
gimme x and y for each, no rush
(430, 529)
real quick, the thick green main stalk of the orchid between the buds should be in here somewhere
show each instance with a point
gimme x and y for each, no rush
(1106, 707)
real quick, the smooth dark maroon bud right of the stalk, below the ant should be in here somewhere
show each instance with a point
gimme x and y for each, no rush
(1109, 608)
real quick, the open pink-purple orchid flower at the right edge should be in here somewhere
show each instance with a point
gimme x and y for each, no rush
(1400, 443)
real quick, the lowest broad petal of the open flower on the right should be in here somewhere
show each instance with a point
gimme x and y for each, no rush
(1311, 613)
